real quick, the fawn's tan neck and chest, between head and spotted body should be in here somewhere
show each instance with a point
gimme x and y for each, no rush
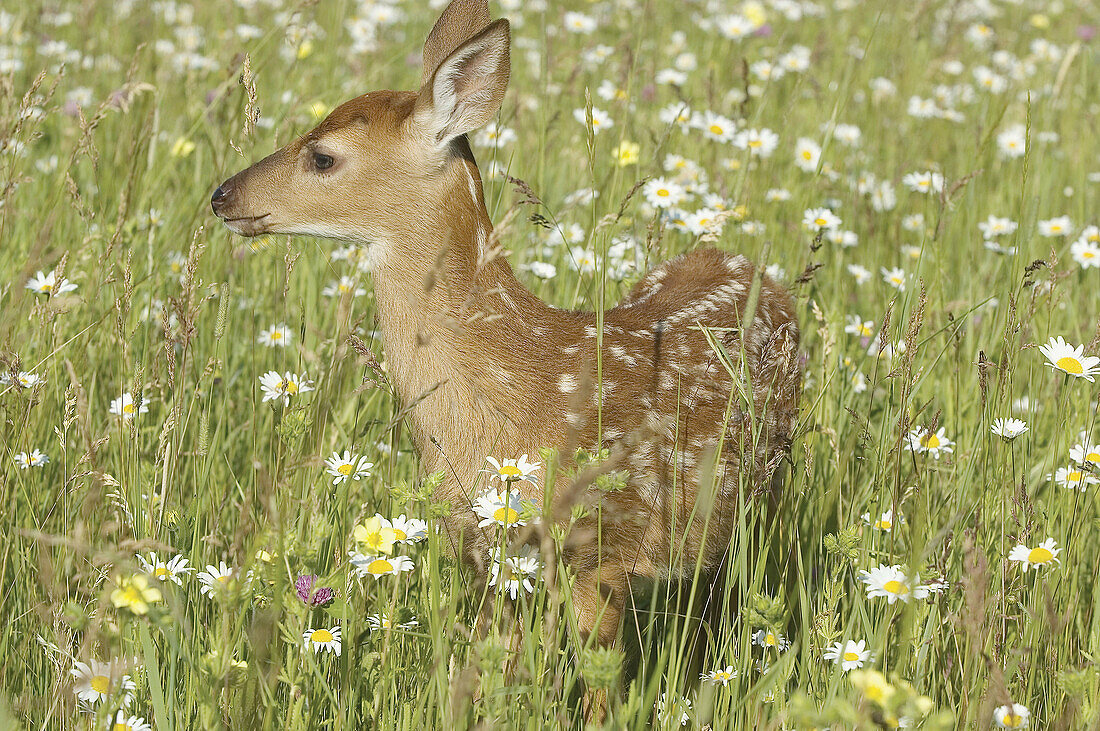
(456, 324)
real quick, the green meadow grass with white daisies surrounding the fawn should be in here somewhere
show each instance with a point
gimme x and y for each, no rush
(118, 121)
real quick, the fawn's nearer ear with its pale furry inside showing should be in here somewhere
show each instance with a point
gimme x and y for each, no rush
(467, 90)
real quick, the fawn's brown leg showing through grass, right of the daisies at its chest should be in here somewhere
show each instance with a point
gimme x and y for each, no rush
(599, 601)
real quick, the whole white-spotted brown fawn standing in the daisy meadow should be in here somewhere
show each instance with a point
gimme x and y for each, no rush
(691, 383)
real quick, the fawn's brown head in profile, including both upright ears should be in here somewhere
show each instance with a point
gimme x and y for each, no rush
(388, 163)
